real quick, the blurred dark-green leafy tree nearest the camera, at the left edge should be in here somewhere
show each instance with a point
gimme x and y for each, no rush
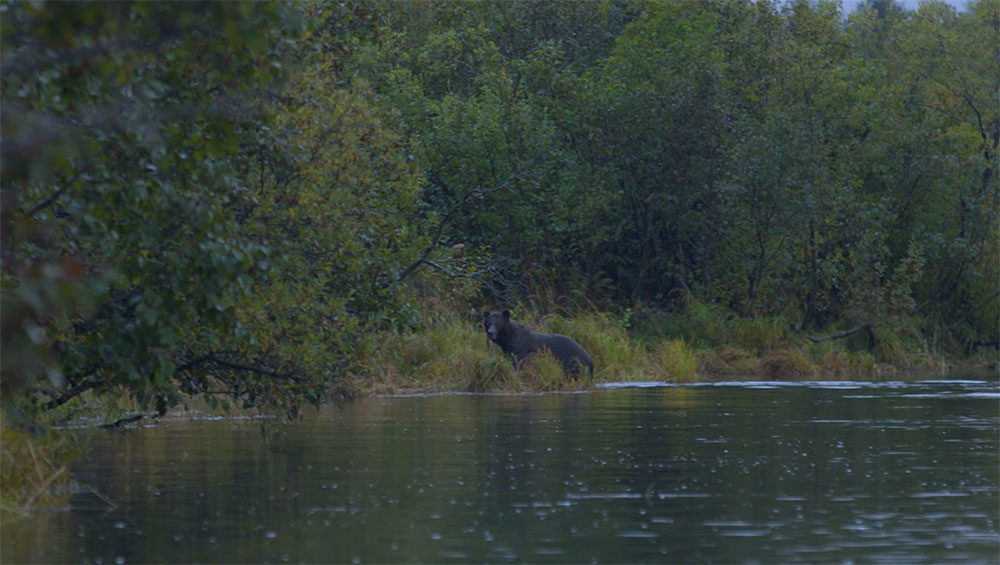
(119, 123)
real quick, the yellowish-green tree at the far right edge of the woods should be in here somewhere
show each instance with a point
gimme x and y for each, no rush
(952, 84)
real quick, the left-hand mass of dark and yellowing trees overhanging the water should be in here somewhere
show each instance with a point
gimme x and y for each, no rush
(210, 209)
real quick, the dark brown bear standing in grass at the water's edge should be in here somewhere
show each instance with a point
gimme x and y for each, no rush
(519, 341)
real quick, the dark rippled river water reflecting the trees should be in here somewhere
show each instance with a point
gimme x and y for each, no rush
(729, 472)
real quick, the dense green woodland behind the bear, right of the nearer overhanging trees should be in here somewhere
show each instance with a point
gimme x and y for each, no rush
(778, 160)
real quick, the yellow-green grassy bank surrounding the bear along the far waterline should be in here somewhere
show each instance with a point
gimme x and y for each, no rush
(451, 352)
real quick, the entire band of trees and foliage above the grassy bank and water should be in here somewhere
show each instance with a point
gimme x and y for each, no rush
(239, 200)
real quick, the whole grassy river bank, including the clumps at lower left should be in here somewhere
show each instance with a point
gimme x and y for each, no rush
(450, 353)
